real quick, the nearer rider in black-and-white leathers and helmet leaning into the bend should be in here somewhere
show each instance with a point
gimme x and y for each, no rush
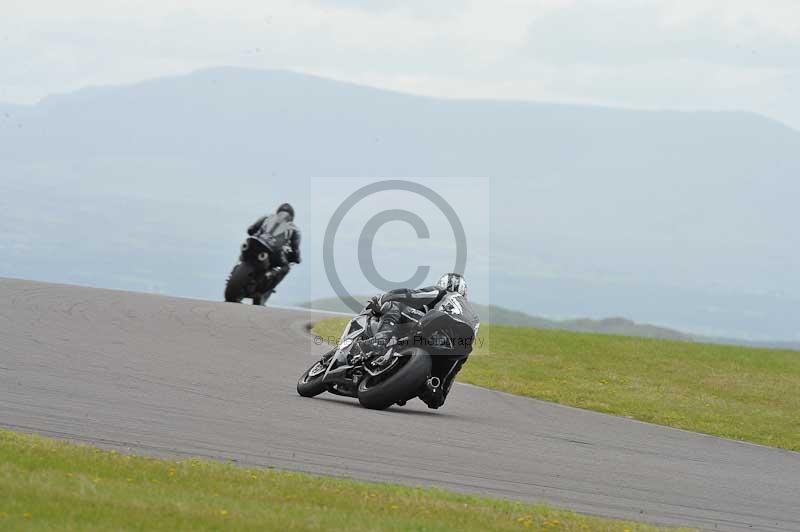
(398, 307)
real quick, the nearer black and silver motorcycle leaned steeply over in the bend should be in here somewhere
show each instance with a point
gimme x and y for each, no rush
(426, 354)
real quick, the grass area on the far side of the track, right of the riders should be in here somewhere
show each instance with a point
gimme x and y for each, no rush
(735, 392)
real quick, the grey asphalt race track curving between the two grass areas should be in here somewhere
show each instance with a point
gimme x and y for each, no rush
(175, 377)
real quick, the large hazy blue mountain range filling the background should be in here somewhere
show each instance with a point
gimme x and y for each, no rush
(685, 218)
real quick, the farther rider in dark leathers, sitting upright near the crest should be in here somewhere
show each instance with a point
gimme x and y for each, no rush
(282, 237)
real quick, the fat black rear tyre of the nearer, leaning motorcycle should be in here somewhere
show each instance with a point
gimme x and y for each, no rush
(404, 383)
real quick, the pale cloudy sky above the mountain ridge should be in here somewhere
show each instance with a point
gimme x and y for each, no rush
(711, 54)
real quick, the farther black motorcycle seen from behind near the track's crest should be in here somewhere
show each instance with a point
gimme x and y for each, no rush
(254, 277)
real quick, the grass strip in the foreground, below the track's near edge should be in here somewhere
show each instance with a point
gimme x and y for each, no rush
(53, 485)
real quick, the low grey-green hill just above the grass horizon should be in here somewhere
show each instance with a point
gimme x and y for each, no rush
(504, 316)
